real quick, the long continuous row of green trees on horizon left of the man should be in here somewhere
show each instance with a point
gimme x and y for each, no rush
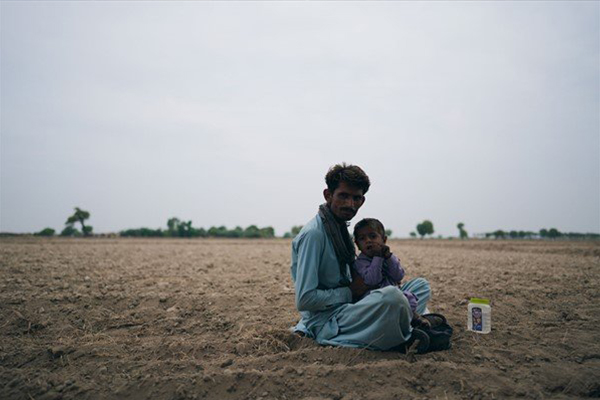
(179, 228)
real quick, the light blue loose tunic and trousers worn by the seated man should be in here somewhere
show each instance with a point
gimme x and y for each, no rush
(379, 321)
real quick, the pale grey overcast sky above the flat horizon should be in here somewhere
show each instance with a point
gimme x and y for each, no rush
(230, 113)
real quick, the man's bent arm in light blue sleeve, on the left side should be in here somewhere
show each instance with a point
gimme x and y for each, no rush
(308, 296)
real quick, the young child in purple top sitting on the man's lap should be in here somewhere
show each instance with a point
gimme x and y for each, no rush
(376, 264)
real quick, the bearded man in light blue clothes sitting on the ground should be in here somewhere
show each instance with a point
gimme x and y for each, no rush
(322, 255)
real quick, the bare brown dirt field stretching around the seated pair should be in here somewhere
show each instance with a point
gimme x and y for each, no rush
(179, 319)
